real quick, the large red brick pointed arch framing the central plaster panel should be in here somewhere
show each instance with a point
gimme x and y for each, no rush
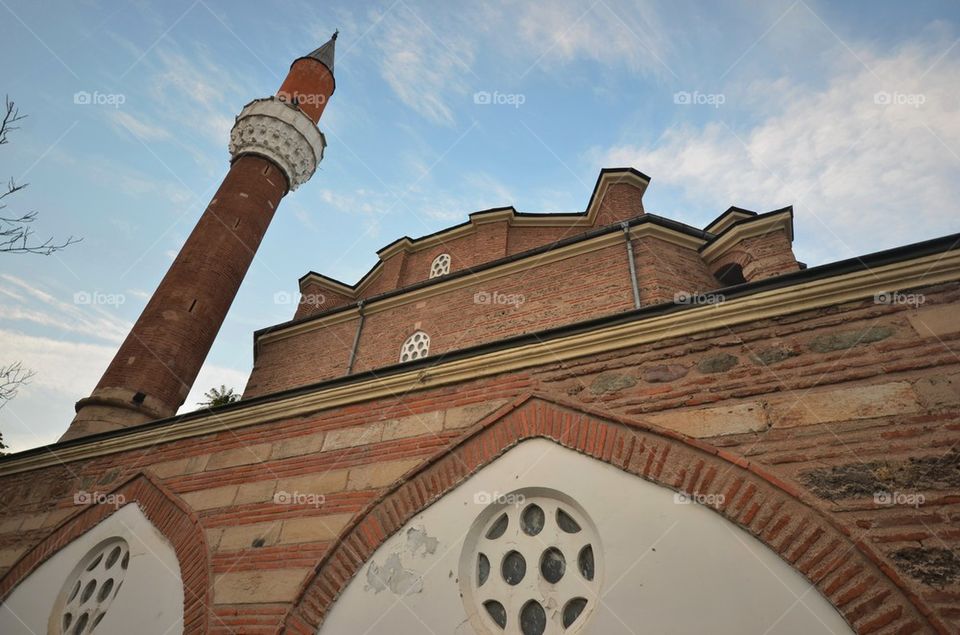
(869, 595)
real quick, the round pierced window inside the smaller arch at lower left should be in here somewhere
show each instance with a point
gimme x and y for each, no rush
(91, 588)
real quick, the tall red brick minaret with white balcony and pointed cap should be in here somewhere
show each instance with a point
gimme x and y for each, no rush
(275, 147)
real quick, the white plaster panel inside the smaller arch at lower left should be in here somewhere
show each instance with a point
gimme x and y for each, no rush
(150, 601)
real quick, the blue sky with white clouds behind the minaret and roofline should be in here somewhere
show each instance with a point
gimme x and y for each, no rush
(847, 111)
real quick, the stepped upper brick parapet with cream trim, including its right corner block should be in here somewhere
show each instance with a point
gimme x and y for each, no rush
(738, 246)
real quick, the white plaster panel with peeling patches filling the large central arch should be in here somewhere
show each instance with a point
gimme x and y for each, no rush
(669, 567)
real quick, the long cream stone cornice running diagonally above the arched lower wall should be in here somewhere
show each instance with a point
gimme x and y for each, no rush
(934, 268)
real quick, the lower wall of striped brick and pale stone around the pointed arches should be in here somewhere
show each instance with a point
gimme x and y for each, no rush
(834, 404)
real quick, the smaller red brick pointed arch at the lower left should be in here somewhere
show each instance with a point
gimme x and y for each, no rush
(172, 518)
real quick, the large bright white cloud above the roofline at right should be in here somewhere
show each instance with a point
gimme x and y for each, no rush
(862, 175)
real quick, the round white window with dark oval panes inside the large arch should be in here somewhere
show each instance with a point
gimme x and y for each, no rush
(530, 565)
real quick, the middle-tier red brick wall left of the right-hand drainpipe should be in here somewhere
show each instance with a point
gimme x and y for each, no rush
(554, 294)
